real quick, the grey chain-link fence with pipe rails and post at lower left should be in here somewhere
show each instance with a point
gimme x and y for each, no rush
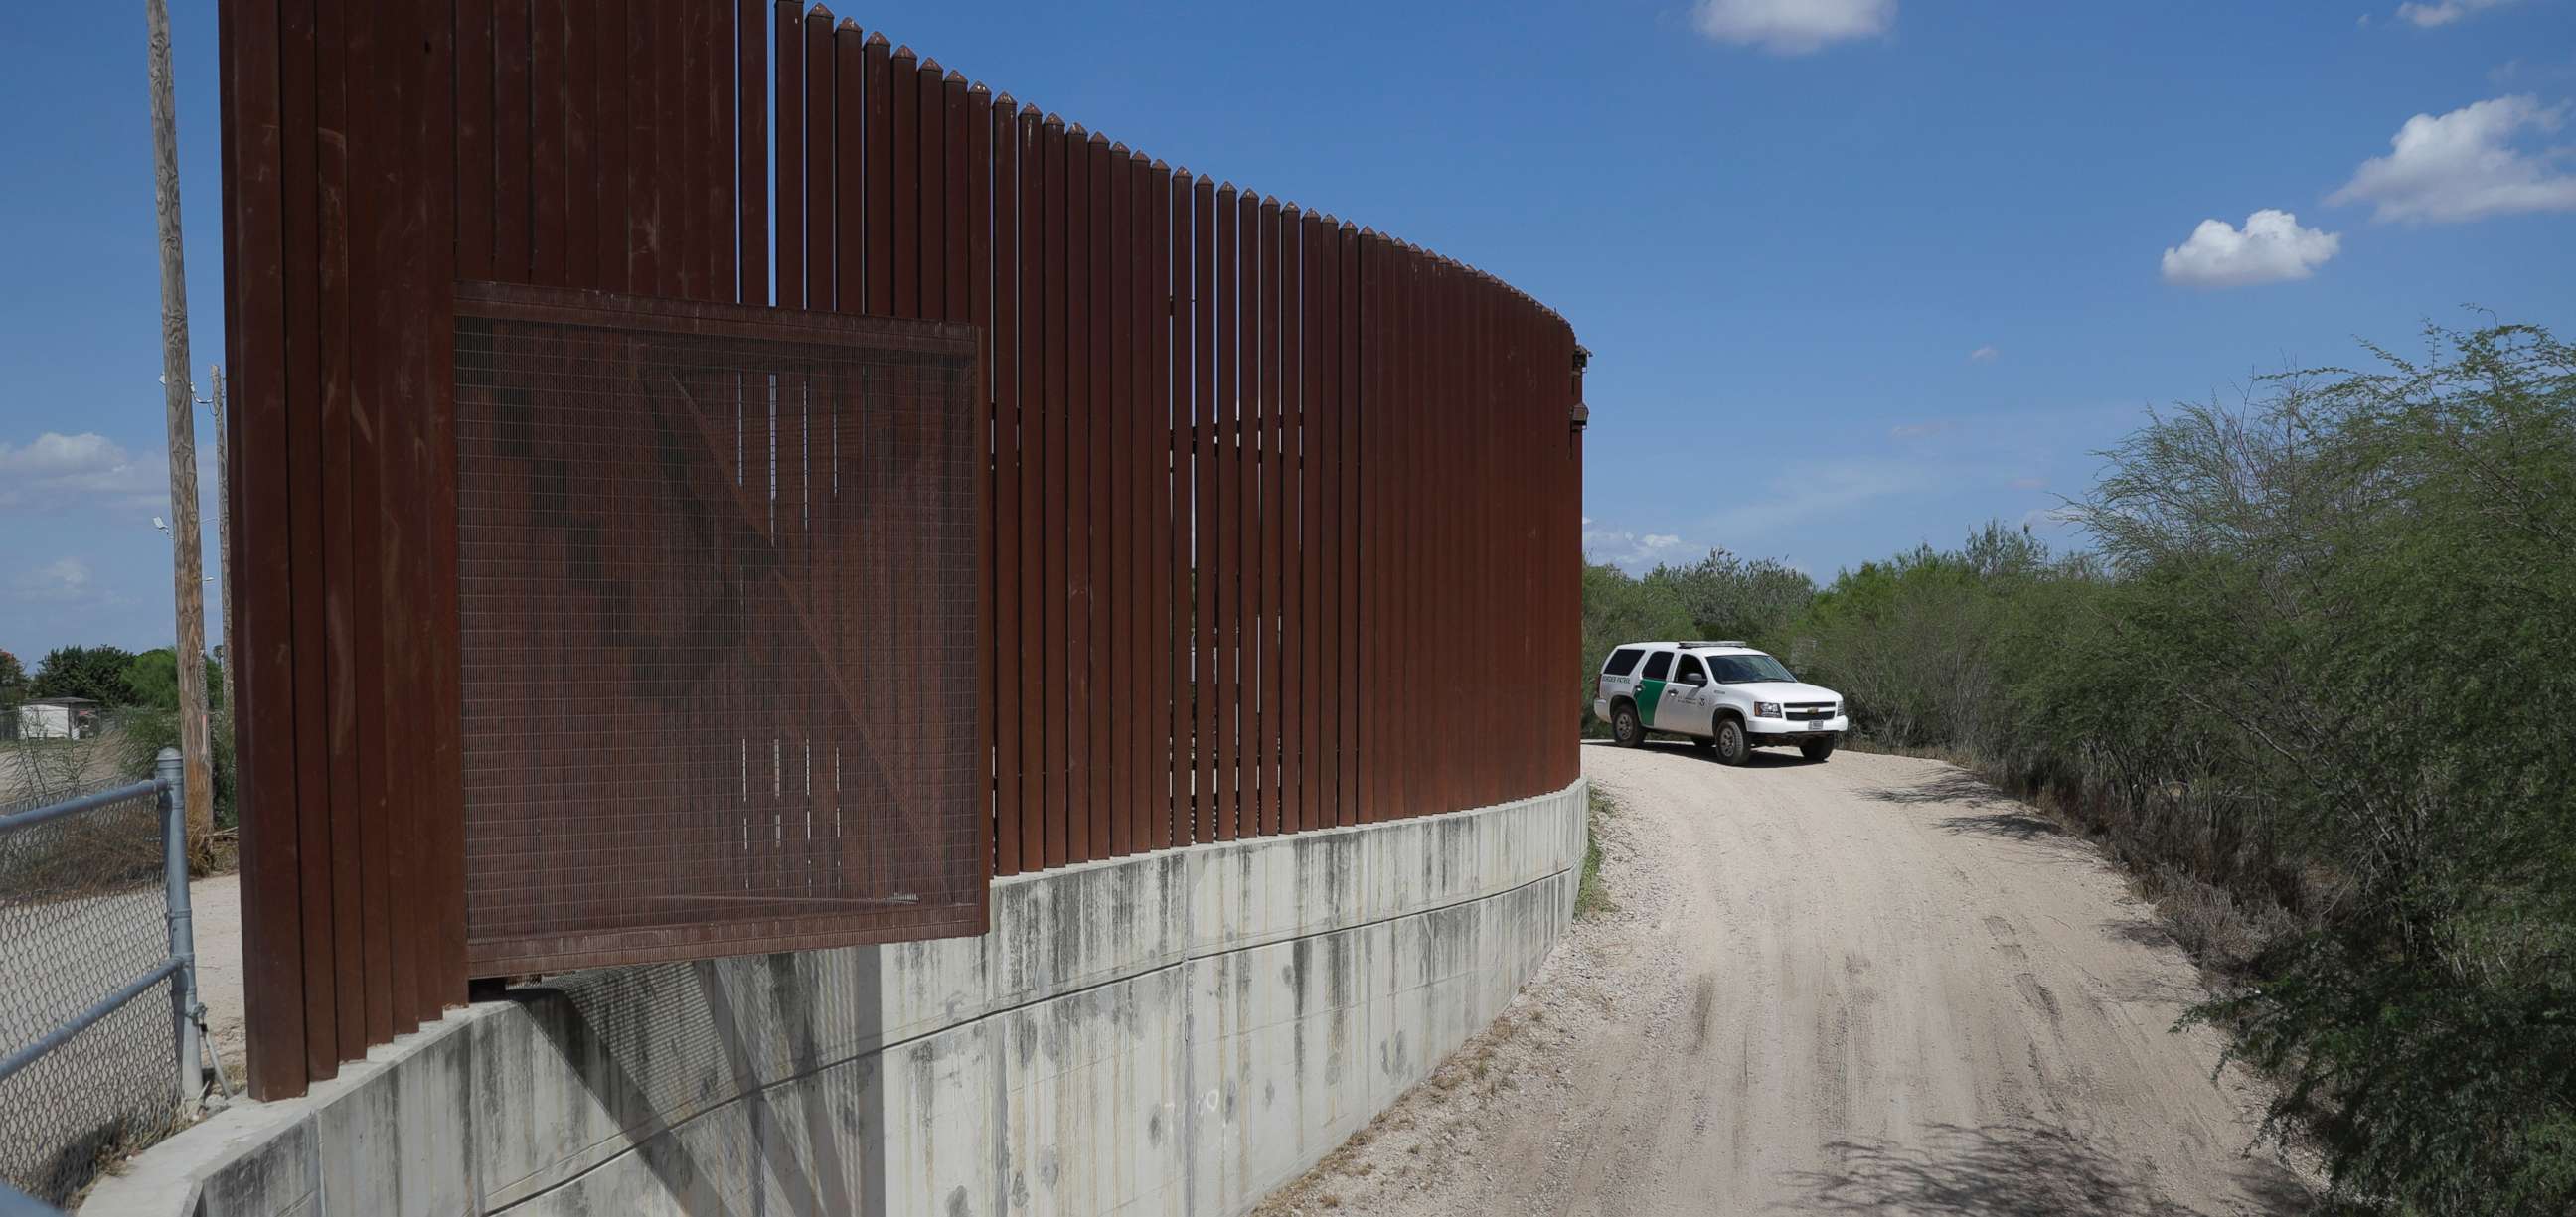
(94, 915)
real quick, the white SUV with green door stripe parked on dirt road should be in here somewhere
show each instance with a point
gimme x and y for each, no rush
(1722, 696)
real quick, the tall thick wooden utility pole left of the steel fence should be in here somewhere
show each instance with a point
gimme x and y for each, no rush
(187, 575)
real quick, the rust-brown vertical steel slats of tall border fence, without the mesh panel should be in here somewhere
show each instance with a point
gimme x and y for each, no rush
(1251, 475)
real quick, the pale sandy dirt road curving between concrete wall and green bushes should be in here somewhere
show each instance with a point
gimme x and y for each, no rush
(1851, 987)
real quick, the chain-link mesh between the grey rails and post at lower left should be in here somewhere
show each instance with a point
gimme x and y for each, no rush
(81, 917)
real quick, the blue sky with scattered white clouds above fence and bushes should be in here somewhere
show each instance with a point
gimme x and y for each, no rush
(1856, 274)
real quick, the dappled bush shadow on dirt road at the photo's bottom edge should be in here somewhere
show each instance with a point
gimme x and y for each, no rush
(2011, 1169)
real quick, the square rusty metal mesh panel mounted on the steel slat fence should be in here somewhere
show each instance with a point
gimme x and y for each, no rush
(720, 632)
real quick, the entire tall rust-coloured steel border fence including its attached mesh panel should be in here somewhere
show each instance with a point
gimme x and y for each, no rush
(1274, 518)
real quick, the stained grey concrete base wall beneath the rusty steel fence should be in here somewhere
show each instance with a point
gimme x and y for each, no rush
(1155, 1036)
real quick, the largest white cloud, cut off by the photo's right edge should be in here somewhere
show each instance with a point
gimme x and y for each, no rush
(2464, 166)
